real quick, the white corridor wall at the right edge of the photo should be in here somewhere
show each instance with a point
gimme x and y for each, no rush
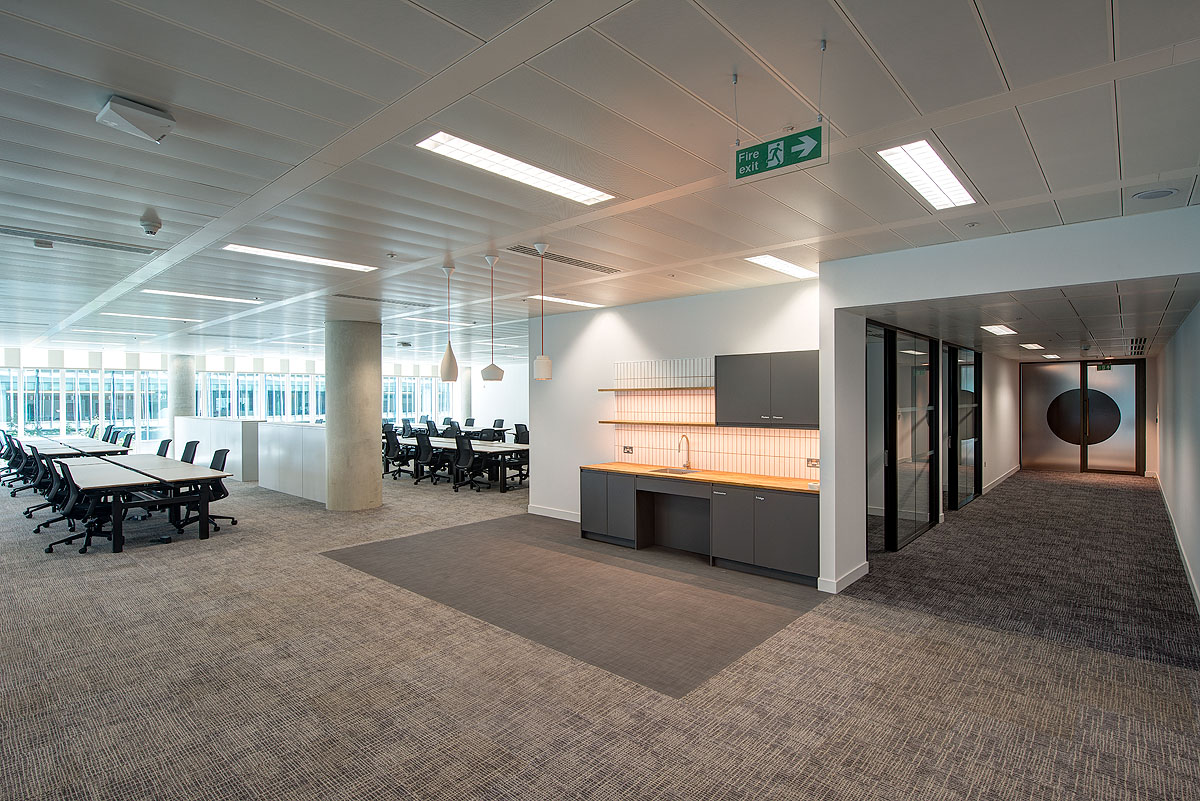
(1179, 441)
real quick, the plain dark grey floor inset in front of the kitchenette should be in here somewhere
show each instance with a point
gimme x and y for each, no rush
(655, 617)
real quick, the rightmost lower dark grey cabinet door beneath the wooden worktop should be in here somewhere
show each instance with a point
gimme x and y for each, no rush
(787, 532)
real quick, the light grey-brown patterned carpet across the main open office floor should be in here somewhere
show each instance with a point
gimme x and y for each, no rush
(254, 667)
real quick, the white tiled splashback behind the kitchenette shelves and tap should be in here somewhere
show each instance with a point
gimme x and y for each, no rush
(764, 451)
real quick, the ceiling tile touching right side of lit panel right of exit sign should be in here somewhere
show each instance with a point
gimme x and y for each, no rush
(995, 154)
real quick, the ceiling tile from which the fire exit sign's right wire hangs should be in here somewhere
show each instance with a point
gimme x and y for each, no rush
(857, 94)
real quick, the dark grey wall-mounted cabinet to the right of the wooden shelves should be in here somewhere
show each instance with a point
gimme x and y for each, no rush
(769, 390)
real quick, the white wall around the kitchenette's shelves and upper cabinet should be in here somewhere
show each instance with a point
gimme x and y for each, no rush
(584, 347)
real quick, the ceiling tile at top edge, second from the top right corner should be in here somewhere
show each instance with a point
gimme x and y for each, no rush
(1069, 37)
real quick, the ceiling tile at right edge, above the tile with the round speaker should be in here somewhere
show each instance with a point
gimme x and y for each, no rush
(1160, 119)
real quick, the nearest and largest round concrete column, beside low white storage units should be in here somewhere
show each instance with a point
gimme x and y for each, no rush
(353, 414)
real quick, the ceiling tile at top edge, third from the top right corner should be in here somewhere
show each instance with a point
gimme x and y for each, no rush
(938, 51)
